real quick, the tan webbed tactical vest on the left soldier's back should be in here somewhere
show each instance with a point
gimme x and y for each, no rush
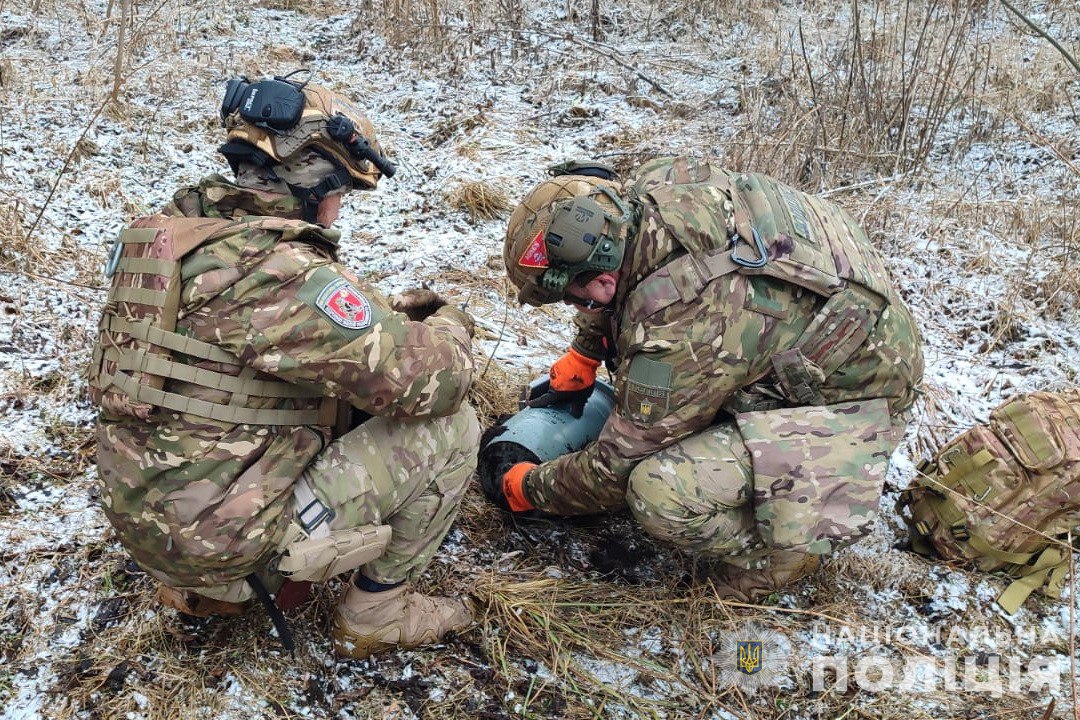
(138, 337)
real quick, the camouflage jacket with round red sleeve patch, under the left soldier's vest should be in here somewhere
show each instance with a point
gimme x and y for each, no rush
(199, 502)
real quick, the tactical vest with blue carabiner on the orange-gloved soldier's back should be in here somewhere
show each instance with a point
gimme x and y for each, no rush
(755, 226)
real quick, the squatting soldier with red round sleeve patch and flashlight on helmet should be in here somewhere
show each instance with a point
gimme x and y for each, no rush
(237, 358)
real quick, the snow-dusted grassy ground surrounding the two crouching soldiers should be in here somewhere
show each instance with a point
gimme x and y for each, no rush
(577, 619)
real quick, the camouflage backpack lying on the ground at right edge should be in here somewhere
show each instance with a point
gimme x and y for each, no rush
(1004, 496)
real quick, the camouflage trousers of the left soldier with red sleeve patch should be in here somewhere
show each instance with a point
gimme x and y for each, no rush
(408, 474)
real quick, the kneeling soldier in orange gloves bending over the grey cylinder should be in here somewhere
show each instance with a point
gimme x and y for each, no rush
(764, 364)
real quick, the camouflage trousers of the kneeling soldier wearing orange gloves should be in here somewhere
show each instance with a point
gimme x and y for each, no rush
(806, 480)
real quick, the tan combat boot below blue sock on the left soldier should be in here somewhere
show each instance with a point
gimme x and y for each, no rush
(366, 623)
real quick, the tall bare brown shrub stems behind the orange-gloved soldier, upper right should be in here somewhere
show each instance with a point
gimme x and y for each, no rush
(832, 113)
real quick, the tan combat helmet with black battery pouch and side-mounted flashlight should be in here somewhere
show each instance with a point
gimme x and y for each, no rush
(273, 120)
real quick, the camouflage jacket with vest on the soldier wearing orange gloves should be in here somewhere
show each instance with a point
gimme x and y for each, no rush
(694, 349)
